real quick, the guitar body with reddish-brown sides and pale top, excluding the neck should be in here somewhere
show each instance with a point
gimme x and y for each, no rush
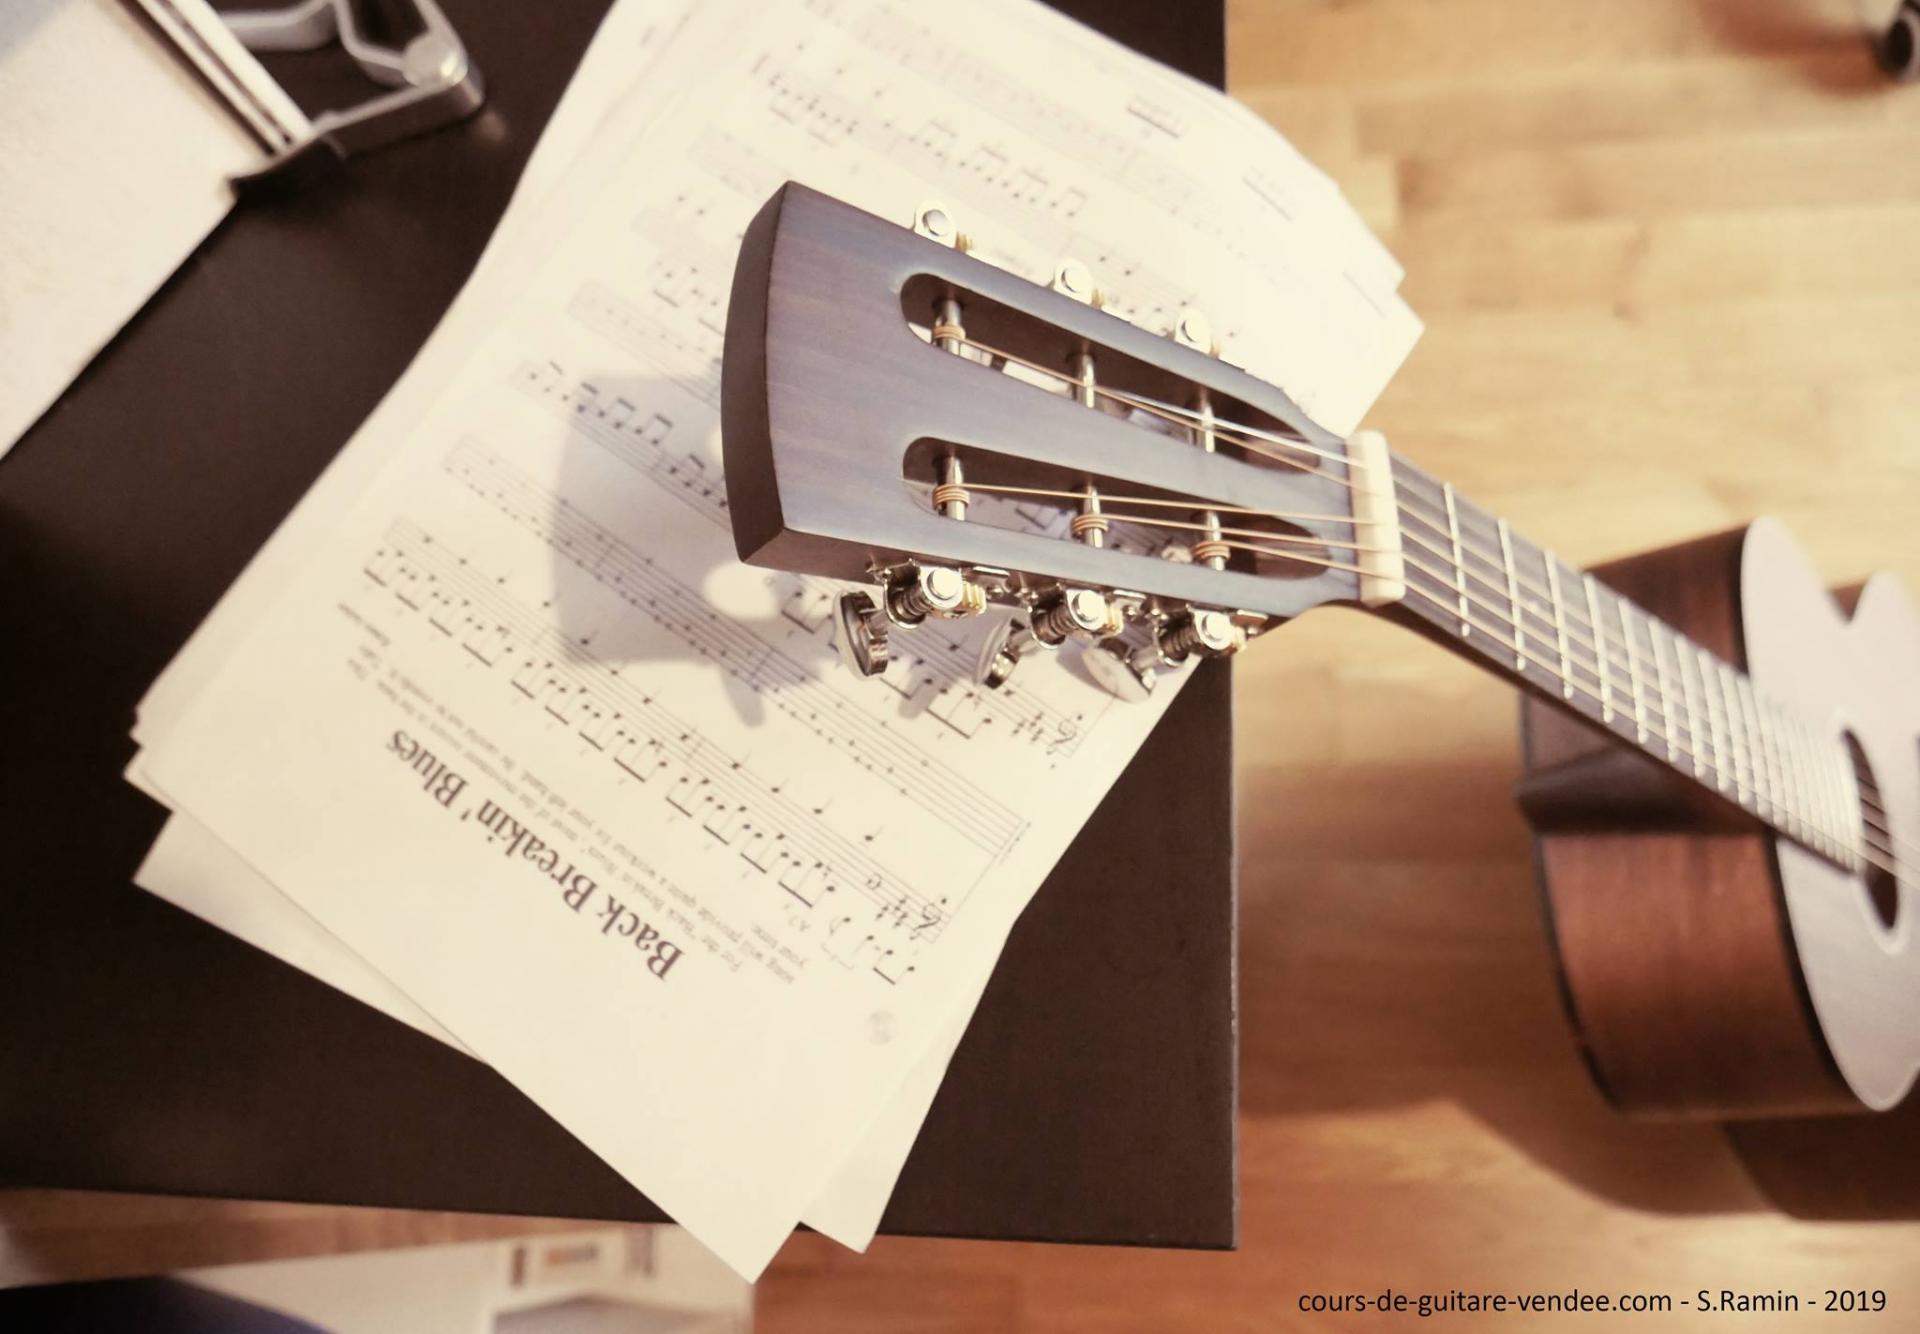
(1710, 968)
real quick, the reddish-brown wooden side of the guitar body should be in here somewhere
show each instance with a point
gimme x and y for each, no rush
(1673, 940)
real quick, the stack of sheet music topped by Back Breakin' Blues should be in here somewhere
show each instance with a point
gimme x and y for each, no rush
(500, 738)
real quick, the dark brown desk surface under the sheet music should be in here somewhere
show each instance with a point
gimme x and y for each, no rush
(143, 1051)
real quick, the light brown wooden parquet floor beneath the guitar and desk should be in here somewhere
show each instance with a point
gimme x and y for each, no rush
(1669, 260)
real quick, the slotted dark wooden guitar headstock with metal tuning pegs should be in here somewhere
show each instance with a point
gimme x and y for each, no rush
(901, 414)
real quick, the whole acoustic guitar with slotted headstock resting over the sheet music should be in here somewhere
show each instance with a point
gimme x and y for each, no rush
(1723, 759)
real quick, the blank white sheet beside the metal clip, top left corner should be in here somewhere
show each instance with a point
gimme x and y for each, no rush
(99, 126)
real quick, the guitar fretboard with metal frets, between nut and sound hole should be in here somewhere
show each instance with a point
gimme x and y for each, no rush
(1531, 617)
